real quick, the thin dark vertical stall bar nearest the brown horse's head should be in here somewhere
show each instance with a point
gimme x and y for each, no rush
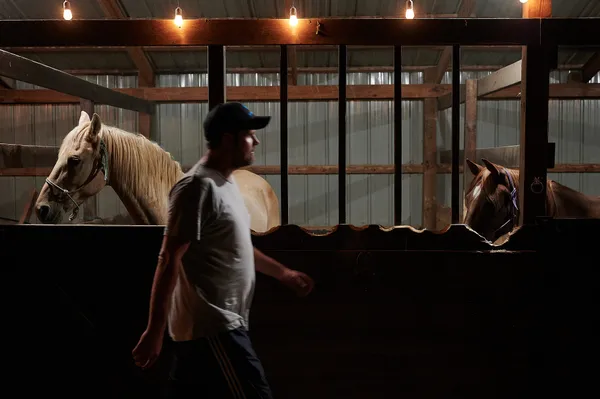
(455, 132)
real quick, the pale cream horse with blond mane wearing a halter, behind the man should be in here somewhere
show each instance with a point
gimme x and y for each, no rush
(93, 155)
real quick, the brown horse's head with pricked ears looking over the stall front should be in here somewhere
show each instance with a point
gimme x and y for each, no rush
(491, 201)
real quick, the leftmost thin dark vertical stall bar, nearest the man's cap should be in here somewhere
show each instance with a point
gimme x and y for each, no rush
(283, 131)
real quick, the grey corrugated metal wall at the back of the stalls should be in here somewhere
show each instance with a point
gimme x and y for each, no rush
(313, 132)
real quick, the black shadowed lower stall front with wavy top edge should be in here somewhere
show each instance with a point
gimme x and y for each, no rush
(394, 314)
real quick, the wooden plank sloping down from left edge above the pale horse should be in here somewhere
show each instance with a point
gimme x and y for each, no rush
(26, 70)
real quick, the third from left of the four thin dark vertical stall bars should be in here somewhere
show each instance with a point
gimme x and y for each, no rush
(397, 135)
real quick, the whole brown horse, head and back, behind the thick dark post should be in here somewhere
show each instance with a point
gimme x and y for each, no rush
(492, 200)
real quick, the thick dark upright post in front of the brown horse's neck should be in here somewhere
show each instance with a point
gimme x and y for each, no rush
(535, 71)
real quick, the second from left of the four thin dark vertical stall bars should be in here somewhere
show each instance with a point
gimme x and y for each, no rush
(342, 133)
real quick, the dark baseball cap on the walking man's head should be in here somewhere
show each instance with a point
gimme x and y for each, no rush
(232, 117)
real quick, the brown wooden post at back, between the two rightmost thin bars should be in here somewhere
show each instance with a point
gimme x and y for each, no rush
(430, 115)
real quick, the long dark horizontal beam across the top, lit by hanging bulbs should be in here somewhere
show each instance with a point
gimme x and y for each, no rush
(267, 31)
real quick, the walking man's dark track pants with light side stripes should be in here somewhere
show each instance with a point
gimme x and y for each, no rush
(223, 366)
